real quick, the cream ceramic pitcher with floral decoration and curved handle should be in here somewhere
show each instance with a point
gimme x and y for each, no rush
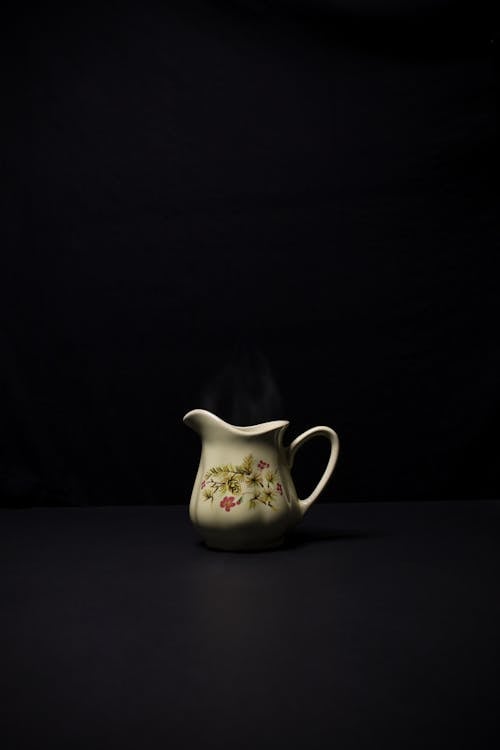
(243, 496)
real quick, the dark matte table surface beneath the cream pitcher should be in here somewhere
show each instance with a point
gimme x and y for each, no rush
(377, 625)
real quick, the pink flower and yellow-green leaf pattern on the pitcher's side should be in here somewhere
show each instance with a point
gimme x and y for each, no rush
(248, 483)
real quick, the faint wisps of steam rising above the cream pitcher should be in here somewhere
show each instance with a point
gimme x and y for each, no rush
(243, 391)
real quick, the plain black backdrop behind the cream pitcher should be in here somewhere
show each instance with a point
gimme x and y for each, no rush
(274, 209)
